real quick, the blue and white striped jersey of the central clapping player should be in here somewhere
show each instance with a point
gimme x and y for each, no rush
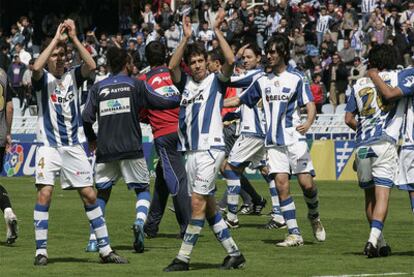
(200, 122)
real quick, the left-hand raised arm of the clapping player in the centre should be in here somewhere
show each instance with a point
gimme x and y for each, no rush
(175, 61)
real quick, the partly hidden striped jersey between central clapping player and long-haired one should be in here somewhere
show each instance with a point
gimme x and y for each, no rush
(252, 120)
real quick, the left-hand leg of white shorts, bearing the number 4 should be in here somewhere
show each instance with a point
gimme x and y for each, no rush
(48, 164)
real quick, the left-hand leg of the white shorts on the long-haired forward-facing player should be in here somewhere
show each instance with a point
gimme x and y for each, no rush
(278, 160)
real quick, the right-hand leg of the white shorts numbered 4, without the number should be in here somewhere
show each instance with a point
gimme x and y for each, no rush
(77, 171)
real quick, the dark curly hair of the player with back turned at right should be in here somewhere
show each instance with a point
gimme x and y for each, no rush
(382, 57)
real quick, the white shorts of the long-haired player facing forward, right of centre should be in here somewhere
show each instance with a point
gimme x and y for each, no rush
(292, 159)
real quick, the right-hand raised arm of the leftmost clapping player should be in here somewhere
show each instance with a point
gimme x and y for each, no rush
(89, 64)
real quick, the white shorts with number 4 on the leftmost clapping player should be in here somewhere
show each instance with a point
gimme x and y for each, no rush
(70, 162)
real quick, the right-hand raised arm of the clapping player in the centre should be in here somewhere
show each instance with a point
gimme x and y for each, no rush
(227, 68)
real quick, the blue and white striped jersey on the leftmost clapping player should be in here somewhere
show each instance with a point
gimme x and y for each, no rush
(59, 120)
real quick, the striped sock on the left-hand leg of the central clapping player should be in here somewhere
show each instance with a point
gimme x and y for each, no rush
(190, 238)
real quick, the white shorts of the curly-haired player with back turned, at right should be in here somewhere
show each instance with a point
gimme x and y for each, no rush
(377, 165)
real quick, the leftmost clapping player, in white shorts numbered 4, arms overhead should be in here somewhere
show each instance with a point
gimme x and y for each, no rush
(59, 131)
